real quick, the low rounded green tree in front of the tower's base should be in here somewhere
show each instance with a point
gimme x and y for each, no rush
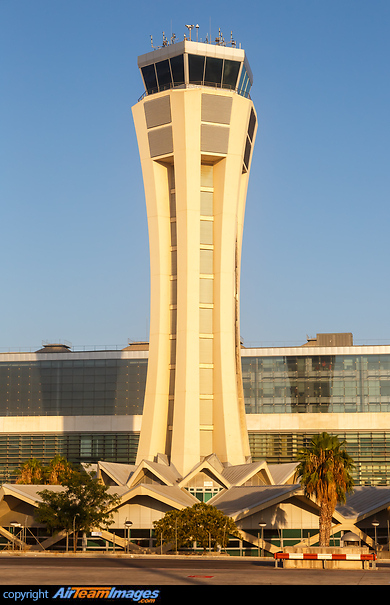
(202, 523)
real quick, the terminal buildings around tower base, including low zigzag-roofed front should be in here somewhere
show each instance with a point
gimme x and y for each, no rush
(87, 406)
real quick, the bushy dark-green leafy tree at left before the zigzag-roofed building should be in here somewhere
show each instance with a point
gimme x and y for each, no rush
(82, 505)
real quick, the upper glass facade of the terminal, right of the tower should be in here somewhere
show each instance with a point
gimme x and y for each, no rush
(330, 383)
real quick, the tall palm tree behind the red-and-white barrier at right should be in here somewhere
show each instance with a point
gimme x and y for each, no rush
(324, 472)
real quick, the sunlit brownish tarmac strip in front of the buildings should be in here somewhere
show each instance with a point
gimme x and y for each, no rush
(53, 569)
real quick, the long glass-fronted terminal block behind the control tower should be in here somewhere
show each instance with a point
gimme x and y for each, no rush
(88, 406)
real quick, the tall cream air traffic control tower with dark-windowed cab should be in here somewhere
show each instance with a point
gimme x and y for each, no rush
(196, 128)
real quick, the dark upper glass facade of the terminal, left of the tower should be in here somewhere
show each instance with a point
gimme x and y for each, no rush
(72, 388)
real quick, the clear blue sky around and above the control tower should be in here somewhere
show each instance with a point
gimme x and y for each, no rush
(73, 230)
